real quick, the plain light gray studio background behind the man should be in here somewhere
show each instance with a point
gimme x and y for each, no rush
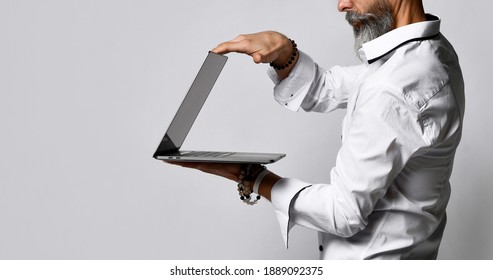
(88, 88)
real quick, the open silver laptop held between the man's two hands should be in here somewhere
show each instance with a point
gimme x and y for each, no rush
(169, 148)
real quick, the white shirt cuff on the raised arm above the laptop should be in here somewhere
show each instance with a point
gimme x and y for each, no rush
(291, 91)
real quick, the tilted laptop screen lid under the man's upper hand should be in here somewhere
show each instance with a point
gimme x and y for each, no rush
(192, 103)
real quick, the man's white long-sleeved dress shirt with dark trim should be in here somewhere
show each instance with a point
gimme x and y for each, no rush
(389, 188)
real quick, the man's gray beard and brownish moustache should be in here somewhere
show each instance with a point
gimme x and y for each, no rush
(378, 21)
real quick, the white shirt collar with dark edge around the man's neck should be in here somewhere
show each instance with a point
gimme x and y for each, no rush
(376, 48)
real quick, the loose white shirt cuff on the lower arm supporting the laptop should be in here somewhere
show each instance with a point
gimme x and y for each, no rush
(283, 194)
